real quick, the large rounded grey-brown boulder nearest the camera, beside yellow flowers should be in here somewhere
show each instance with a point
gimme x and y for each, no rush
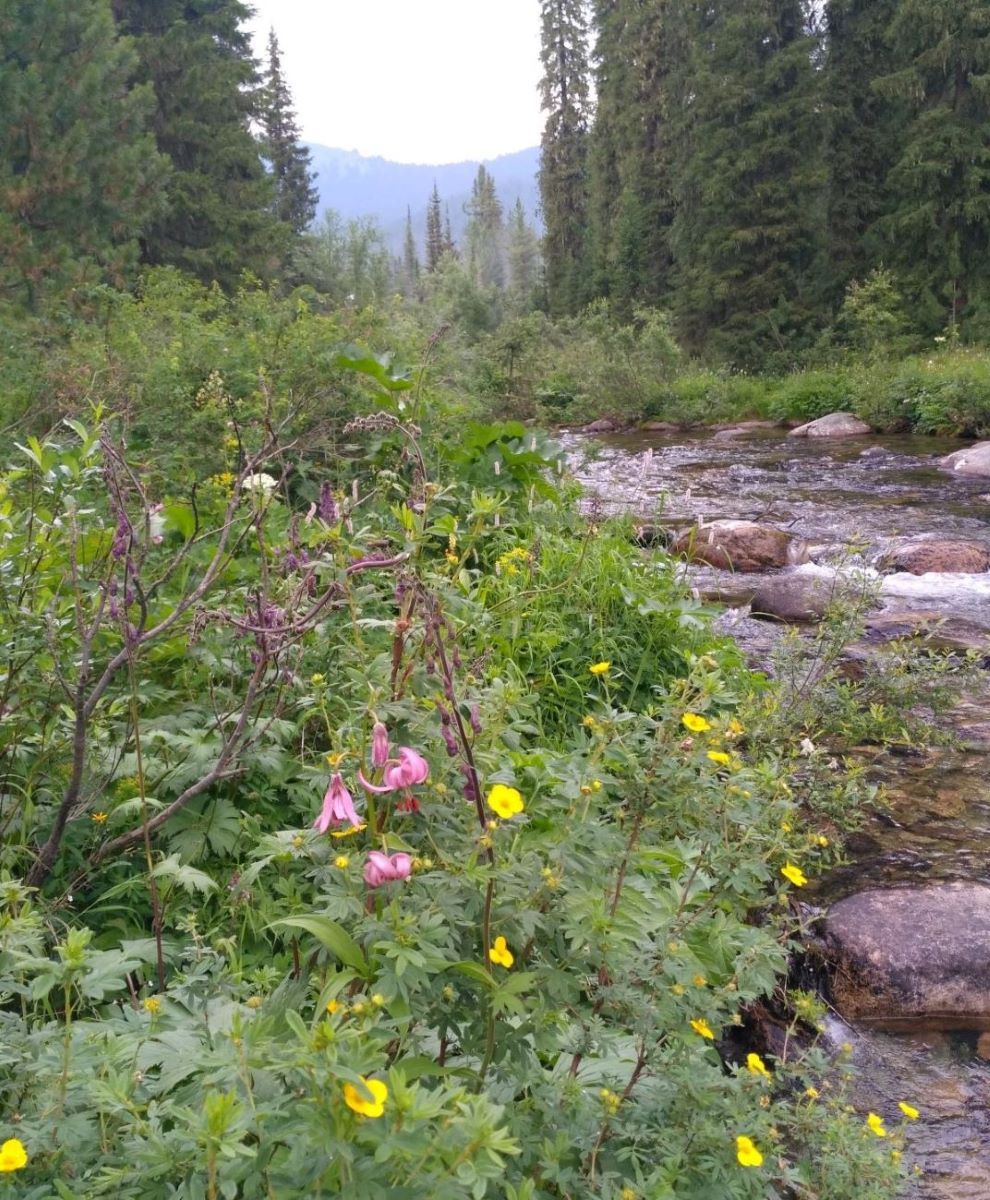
(914, 958)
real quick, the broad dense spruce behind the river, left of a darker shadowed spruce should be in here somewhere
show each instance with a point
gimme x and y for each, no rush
(748, 177)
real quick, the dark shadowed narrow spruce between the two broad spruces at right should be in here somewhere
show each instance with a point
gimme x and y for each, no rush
(863, 130)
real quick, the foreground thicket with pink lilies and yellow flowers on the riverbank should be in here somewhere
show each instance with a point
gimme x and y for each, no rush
(545, 983)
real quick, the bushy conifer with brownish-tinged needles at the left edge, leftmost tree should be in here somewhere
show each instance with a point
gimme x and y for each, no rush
(79, 173)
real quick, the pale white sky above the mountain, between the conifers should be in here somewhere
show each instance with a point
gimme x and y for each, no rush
(415, 81)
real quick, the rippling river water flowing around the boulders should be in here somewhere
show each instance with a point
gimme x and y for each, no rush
(853, 501)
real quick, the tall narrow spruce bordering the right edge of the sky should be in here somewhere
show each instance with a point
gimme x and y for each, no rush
(565, 151)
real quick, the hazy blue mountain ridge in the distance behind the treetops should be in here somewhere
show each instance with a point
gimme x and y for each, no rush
(358, 187)
